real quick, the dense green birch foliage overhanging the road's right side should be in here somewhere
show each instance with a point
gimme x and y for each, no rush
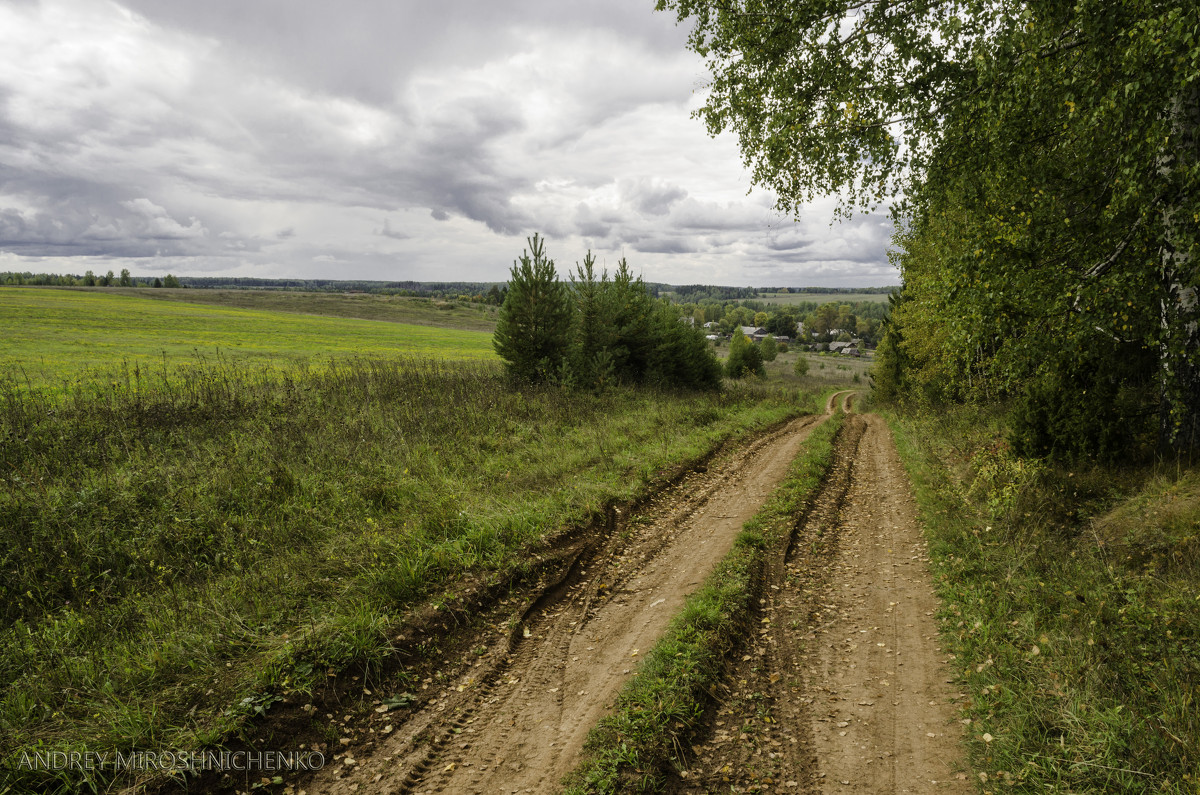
(1046, 156)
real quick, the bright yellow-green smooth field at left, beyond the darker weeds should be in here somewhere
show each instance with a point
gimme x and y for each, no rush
(61, 336)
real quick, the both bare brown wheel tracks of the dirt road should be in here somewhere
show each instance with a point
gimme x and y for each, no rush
(841, 690)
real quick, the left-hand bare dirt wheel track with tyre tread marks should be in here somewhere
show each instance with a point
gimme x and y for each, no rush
(517, 721)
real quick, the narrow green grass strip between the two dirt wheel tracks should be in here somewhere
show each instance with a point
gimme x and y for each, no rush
(663, 702)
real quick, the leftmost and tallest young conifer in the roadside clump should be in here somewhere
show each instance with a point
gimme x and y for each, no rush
(533, 332)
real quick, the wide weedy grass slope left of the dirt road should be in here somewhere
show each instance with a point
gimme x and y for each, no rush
(181, 551)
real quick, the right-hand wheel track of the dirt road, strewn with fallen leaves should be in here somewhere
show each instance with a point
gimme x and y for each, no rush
(843, 689)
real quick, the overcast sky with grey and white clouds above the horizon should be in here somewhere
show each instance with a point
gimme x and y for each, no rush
(387, 140)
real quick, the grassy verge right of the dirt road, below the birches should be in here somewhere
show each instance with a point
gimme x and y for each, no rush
(1072, 605)
